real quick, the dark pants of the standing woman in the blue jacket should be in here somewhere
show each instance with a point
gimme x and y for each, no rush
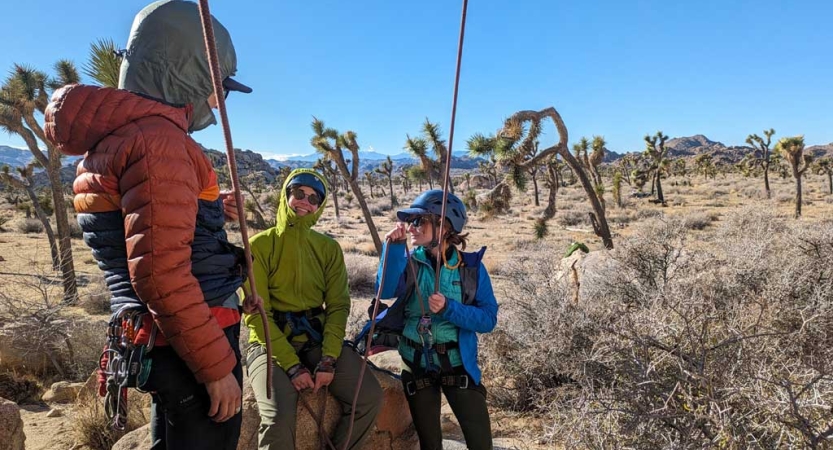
(468, 404)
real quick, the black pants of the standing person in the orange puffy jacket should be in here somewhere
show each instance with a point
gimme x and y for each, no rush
(179, 412)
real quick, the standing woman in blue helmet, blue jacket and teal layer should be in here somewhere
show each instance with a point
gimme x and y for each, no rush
(438, 330)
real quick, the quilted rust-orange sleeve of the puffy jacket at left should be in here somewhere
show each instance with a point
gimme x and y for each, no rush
(160, 180)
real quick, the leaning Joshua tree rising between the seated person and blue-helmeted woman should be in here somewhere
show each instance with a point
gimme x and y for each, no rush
(331, 144)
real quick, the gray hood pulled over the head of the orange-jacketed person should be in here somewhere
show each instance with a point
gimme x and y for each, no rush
(166, 58)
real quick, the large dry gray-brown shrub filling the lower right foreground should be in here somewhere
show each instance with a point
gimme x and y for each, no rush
(674, 347)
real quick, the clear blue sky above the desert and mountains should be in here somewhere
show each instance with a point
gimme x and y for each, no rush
(620, 69)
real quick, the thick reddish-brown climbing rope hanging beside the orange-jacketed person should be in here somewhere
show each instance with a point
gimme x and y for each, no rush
(214, 65)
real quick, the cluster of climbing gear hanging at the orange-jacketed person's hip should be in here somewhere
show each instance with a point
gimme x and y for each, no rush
(122, 364)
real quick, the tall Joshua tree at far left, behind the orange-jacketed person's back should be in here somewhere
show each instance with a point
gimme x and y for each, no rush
(25, 93)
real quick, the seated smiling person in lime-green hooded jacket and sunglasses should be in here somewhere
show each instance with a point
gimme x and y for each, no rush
(301, 277)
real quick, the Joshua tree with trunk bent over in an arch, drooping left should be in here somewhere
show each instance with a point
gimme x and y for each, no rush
(513, 146)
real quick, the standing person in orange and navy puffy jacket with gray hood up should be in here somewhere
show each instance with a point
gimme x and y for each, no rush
(150, 208)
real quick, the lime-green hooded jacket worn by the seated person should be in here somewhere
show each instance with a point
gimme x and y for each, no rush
(297, 268)
